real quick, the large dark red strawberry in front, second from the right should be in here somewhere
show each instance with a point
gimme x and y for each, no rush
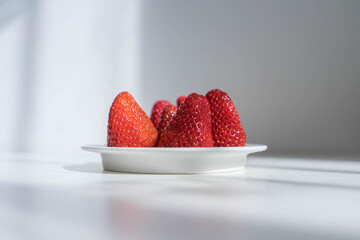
(190, 126)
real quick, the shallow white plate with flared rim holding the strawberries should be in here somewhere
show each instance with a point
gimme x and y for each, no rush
(174, 160)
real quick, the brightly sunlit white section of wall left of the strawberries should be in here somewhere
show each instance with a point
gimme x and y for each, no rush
(72, 59)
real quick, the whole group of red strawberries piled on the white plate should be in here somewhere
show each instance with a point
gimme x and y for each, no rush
(197, 121)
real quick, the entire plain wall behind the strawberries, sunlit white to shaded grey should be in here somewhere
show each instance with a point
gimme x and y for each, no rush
(291, 67)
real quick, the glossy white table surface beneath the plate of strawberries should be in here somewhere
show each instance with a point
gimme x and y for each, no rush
(72, 197)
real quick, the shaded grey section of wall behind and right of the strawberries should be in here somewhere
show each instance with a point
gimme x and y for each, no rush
(291, 67)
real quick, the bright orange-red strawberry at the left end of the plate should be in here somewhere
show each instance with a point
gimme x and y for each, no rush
(128, 124)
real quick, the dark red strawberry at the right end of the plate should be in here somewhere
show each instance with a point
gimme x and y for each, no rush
(227, 130)
